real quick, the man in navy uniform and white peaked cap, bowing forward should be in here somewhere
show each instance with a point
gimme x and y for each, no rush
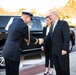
(18, 31)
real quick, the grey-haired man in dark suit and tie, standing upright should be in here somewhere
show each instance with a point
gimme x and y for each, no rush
(60, 36)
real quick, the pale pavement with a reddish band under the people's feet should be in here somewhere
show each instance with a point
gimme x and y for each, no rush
(36, 66)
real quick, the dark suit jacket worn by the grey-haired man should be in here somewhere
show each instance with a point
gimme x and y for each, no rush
(60, 37)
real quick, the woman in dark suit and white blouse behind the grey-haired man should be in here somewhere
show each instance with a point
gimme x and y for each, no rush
(47, 48)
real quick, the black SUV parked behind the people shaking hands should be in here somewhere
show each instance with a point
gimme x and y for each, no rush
(36, 28)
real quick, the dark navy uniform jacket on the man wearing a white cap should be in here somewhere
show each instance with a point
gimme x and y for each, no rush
(18, 30)
